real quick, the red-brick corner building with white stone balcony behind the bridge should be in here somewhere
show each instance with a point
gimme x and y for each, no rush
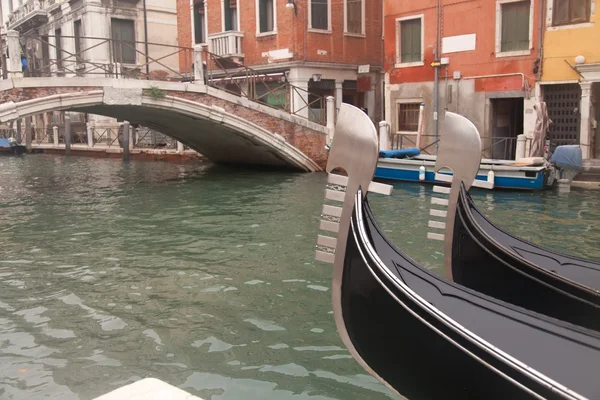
(324, 47)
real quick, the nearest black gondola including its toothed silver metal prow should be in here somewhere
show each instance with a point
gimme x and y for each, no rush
(423, 336)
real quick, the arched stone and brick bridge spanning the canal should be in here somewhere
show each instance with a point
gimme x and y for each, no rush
(223, 127)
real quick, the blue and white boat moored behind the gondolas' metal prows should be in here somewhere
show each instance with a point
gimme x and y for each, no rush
(501, 174)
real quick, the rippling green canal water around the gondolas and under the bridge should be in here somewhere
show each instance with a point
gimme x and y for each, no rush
(201, 276)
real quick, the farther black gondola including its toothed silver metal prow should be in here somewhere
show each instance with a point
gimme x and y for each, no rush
(482, 257)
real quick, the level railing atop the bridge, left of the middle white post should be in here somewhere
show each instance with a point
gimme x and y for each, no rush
(104, 57)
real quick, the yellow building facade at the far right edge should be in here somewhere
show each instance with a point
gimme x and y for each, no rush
(570, 83)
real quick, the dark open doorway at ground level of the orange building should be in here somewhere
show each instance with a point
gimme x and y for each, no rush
(507, 124)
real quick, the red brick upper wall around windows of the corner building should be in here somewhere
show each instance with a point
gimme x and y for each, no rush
(292, 33)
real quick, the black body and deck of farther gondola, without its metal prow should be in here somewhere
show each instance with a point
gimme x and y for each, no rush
(491, 261)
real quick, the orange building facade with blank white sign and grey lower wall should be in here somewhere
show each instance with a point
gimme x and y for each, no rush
(488, 54)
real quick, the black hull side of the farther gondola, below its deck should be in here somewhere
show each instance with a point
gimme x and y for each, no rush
(483, 264)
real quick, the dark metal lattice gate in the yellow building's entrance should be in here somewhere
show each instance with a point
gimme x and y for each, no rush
(563, 109)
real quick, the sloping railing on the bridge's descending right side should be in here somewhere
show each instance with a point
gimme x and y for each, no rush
(276, 92)
